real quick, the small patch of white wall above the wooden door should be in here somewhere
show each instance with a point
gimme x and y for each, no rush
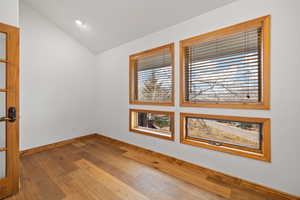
(9, 12)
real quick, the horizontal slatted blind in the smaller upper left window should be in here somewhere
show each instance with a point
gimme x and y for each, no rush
(154, 77)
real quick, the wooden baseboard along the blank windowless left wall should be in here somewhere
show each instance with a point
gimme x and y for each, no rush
(54, 145)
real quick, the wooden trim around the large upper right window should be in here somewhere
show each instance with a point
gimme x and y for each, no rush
(264, 22)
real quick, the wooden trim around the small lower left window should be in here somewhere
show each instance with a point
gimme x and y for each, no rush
(150, 133)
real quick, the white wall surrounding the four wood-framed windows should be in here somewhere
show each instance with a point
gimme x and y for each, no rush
(283, 172)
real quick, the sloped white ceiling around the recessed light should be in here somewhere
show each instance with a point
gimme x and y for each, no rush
(114, 22)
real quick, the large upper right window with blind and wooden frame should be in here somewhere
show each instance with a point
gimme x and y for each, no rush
(227, 68)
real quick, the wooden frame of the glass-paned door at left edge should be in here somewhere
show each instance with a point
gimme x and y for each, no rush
(10, 184)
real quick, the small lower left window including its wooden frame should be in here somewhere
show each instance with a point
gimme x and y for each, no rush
(153, 123)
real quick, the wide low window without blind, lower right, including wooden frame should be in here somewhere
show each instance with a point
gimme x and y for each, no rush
(242, 136)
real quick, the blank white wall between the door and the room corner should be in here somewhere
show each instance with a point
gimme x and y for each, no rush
(57, 75)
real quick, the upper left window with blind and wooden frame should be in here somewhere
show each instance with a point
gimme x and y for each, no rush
(152, 76)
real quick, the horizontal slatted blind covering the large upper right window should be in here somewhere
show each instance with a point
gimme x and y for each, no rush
(225, 69)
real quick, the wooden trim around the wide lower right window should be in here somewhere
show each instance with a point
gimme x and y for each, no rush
(264, 154)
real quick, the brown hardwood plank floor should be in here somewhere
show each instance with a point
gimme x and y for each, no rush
(97, 170)
